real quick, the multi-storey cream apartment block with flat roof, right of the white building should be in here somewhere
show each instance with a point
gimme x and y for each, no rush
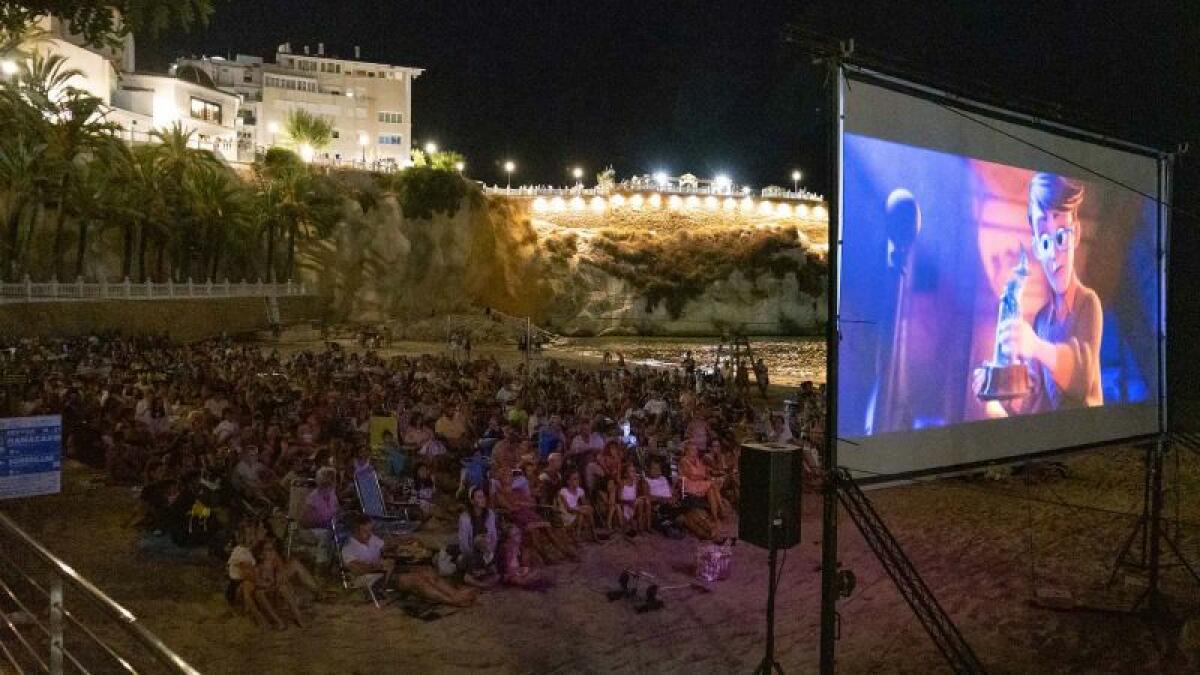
(369, 105)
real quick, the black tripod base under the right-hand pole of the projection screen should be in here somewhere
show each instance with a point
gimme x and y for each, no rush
(1149, 534)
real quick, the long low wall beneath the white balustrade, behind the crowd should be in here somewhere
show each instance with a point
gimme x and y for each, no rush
(184, 320)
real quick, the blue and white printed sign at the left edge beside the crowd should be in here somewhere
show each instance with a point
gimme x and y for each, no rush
(31, 456)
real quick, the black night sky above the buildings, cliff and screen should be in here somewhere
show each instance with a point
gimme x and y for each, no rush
(712, 87)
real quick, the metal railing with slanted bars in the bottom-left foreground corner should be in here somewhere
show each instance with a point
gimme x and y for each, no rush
(53, 620)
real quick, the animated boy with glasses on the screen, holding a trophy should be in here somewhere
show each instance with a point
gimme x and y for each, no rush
(1063, 349)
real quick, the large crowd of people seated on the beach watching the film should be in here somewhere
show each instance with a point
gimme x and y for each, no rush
(531, 462)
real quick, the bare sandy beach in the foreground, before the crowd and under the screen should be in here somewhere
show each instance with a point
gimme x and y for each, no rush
(985, 547)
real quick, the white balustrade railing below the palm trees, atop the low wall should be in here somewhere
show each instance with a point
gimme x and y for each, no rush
(31, 291)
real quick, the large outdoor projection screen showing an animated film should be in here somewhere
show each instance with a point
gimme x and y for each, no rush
(999, 291)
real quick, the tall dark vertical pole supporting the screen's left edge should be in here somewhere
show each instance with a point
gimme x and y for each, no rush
(833, 334)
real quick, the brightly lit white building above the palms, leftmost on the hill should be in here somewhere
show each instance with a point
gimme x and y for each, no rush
(143, 103)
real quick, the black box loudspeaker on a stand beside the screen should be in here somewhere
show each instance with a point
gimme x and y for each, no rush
(771, 491)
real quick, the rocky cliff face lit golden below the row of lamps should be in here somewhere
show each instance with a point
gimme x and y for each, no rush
(651, 272)
